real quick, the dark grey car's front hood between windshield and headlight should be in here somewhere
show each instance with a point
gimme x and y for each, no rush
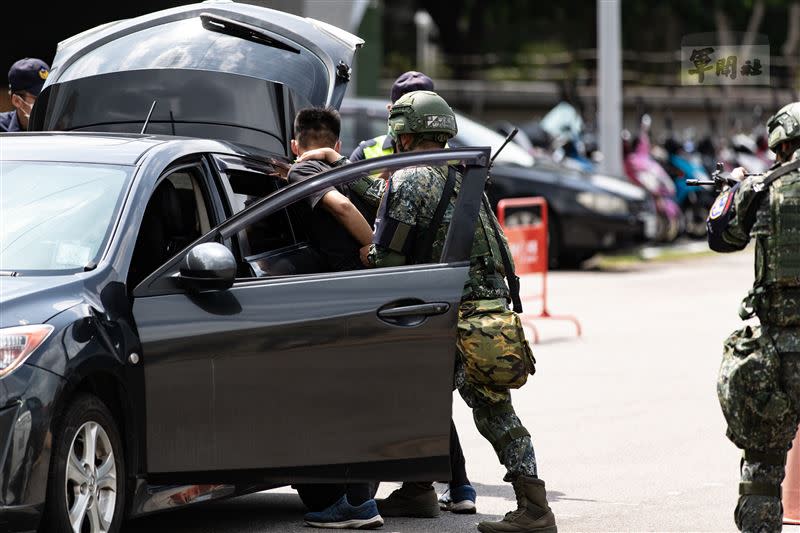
(35, 299)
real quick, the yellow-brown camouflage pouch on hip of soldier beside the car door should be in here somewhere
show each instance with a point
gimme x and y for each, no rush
(492, 343)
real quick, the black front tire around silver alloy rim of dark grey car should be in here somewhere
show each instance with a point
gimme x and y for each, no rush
(69, 436)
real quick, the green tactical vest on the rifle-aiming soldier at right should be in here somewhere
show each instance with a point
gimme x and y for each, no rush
(776, 231)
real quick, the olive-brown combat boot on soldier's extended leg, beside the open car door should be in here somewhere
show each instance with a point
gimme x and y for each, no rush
(533, 515)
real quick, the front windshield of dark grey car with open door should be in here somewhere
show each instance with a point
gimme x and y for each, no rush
(57, 217)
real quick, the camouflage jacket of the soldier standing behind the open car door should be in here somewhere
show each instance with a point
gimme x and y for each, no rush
(413, 198)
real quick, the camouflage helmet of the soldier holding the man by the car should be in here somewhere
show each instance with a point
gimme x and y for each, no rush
(422, 113)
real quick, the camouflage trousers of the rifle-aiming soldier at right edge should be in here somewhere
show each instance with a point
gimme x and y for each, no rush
(759, 513)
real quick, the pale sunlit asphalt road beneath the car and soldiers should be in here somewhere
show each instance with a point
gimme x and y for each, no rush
(628, 432)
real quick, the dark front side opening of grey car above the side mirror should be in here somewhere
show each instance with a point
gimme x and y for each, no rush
(177, 213)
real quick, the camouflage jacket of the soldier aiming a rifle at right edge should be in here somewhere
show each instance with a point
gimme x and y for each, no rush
(772, 219)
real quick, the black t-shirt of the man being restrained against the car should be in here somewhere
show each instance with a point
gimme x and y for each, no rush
(328, 236)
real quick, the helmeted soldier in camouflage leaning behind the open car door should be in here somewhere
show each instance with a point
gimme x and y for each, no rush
(492, 352)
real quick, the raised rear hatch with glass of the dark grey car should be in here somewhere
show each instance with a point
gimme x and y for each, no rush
(223, 70)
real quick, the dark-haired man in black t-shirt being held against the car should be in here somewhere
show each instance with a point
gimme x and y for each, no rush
(338, 229)
